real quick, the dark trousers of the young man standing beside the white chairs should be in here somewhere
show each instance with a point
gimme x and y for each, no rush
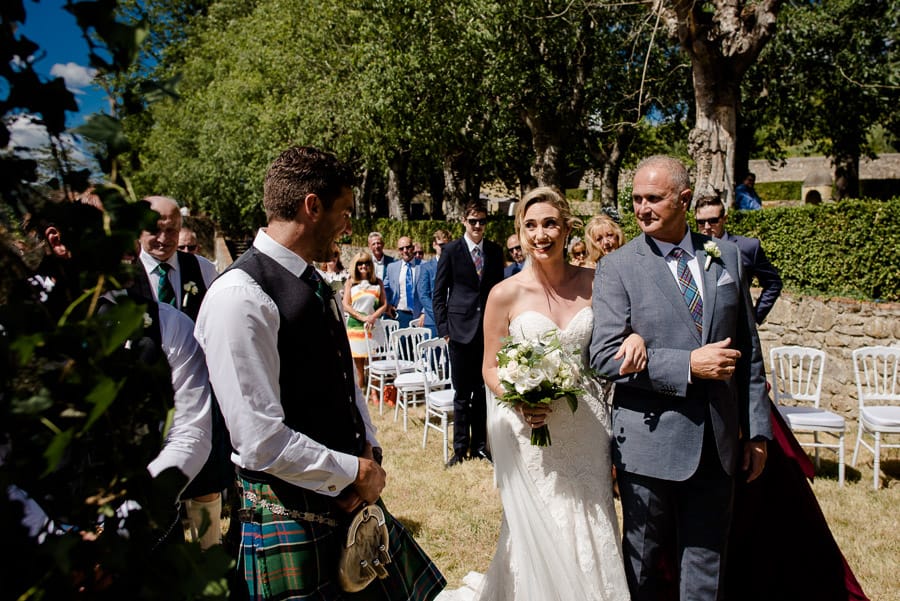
(469, 408)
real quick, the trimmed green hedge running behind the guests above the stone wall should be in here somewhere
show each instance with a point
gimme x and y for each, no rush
(847, 249)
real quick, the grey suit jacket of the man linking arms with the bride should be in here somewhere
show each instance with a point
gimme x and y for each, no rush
(658, 415)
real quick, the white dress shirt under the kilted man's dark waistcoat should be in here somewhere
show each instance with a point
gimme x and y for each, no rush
(238, 329)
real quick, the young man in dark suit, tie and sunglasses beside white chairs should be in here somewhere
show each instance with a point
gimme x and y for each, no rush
(469, 267)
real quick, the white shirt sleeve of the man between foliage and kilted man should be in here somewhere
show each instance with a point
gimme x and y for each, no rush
(189, 440)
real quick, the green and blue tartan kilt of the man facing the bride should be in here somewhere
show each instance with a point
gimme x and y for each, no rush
(282, 558)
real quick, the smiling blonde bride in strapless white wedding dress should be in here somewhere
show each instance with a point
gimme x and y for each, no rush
(559, 538)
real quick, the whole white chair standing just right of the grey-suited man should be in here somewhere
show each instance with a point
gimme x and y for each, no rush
(797, 387)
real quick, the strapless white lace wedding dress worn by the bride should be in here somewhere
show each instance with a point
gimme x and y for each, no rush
(559, 539)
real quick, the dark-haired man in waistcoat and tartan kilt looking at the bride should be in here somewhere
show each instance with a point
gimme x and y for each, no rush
(280, 365)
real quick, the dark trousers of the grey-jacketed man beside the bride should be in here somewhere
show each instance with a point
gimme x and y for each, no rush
(677, 531)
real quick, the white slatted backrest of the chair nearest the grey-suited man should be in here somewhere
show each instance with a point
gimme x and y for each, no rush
(797, 374)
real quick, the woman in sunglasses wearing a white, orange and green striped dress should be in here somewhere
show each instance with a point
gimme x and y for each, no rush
(364, 303)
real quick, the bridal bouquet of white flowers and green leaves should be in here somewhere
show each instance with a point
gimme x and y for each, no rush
(535, 372)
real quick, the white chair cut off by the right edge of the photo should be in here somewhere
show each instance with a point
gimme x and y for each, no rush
(878, 389)
